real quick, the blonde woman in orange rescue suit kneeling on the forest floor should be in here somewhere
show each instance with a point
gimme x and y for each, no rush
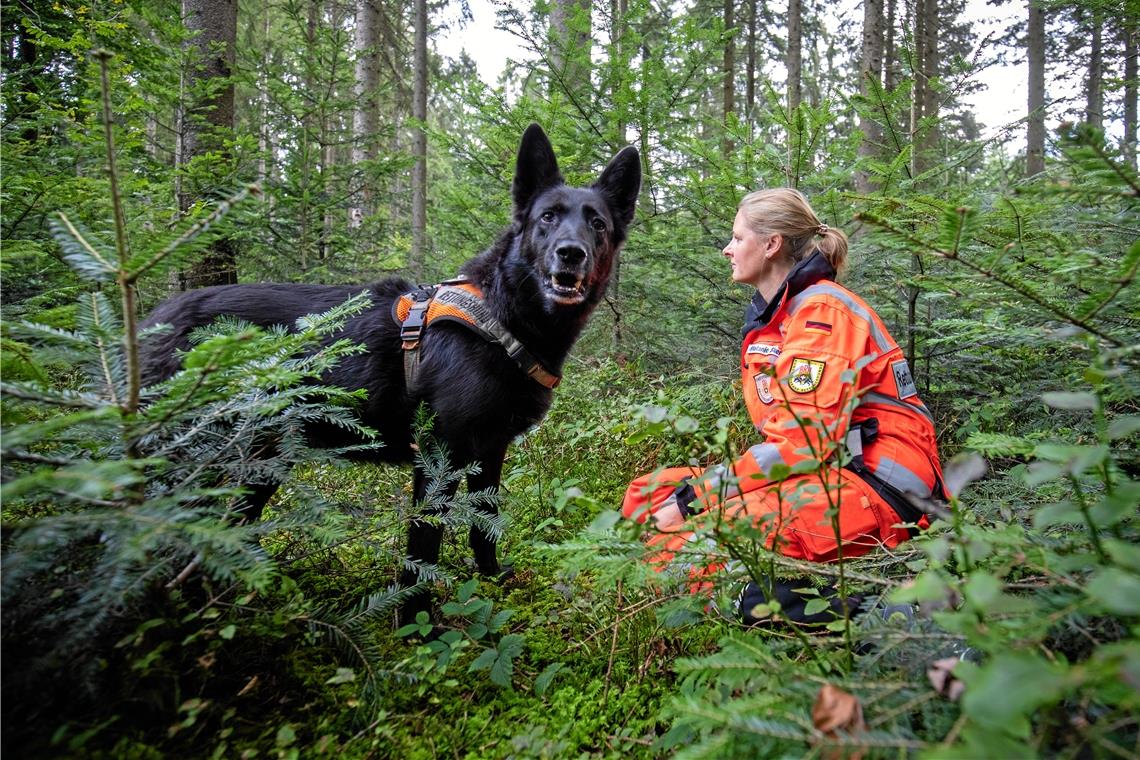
(821, 374)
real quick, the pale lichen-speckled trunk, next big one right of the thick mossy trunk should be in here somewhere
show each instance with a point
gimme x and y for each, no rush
(367, 117)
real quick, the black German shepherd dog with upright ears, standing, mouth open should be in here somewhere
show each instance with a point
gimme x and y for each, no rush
(541, 281)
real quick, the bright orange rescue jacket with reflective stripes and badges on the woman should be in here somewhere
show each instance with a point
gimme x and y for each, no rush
(816, 362)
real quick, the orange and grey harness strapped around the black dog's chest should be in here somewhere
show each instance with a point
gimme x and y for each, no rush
(459, 301)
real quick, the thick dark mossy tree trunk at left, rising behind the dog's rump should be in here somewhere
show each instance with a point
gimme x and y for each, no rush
(207, 119)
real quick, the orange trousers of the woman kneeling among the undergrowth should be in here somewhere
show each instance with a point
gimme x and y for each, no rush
(792, 517)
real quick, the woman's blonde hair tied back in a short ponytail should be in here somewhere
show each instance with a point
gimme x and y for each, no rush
(785, 211)
